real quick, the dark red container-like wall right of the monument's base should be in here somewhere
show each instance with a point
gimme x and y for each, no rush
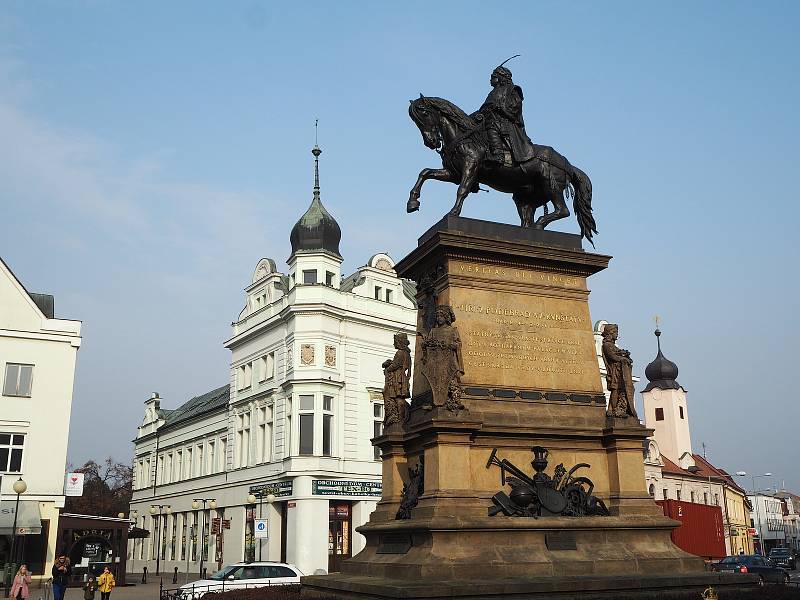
(702, 531)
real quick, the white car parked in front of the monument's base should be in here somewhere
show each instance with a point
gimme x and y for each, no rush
(243, 575)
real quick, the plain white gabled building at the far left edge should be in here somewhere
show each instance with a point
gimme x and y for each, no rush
(37, 357)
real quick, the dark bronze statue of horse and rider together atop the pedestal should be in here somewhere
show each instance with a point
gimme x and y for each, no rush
(491, 147)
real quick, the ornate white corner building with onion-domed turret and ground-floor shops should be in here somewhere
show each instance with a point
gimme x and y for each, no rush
(293, 425)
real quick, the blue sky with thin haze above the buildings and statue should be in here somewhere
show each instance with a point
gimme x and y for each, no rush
(151, 153)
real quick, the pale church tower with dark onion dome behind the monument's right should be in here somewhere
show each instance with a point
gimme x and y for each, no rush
(665, 409)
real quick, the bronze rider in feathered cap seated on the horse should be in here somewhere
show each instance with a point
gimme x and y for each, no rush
(502, 112)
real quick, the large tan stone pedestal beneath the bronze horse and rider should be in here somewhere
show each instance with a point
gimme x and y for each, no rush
(530, 378)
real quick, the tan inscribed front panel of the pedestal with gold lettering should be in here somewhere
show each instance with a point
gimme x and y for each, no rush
(531, 339)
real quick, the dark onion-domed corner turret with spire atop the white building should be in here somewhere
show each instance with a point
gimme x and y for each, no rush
(315, 257)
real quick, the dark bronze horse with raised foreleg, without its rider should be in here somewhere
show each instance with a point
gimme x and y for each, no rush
(460, 139)
